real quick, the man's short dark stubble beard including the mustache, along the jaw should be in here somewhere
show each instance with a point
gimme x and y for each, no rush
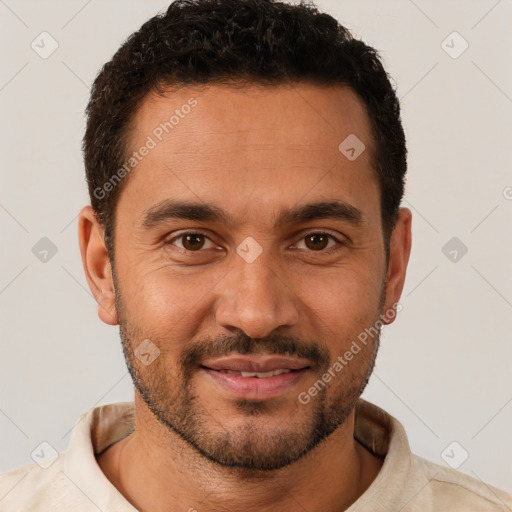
(173, 402)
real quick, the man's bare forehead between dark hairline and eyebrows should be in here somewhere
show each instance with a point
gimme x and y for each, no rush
(268, 140)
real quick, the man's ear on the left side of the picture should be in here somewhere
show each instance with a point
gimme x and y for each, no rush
(96, 263)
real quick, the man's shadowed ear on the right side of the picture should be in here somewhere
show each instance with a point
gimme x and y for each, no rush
(399, 251)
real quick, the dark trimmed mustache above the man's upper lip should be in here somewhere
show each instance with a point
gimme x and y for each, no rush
(193, 355)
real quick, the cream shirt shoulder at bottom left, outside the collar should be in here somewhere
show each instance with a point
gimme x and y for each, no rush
(34, 489)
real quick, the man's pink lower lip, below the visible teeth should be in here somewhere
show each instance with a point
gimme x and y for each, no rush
(254, 388)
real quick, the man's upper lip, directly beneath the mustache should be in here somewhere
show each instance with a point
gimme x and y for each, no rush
(261, 363)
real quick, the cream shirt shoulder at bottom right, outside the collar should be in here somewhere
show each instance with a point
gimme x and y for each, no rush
(453, 490)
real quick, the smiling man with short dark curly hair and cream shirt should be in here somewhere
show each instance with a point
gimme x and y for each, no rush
(245, 162)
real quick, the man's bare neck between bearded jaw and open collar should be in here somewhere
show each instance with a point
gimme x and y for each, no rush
(157, 470)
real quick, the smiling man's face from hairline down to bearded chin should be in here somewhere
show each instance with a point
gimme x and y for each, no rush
(249, 251)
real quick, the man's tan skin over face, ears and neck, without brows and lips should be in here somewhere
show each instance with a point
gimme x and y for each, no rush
(255, 152)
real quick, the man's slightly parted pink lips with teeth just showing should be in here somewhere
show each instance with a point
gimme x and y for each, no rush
(255, 377)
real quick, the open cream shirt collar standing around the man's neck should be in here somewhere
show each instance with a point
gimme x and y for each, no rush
(105, 425)
